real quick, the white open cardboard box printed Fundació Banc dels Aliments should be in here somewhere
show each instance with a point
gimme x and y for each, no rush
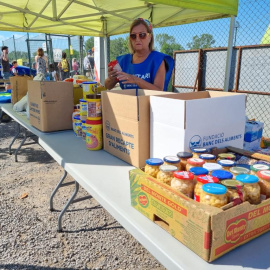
(190, 120)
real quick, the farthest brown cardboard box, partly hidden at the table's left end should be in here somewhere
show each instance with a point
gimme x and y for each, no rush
(19, 87)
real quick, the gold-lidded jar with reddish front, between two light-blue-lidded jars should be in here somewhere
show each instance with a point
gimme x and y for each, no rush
(235, 190)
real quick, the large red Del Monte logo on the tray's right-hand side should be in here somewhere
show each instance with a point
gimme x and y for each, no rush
(235, 231)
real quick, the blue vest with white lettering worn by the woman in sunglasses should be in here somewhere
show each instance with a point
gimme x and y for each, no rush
(147, 69)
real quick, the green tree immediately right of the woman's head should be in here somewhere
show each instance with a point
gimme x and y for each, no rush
(167, 44)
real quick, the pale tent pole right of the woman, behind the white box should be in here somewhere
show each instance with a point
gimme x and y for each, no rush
(229, 55)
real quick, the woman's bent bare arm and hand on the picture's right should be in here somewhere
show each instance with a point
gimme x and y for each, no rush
(158, 81)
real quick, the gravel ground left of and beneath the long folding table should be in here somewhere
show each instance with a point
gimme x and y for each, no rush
(92, 238)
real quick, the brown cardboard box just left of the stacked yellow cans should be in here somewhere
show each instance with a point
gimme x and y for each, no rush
(50, 105)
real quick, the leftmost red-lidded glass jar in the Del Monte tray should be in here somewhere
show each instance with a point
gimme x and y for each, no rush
(183, 182)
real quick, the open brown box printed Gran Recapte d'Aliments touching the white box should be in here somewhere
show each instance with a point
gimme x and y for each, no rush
(126, 124)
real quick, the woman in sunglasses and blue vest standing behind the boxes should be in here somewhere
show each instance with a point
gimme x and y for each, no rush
(144, 68)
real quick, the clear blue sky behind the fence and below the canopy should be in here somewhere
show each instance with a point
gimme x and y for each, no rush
(253, 19)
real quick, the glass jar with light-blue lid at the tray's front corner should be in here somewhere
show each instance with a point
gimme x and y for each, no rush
(214, 194)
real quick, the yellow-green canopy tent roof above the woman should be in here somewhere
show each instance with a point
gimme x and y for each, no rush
(105, 17)
